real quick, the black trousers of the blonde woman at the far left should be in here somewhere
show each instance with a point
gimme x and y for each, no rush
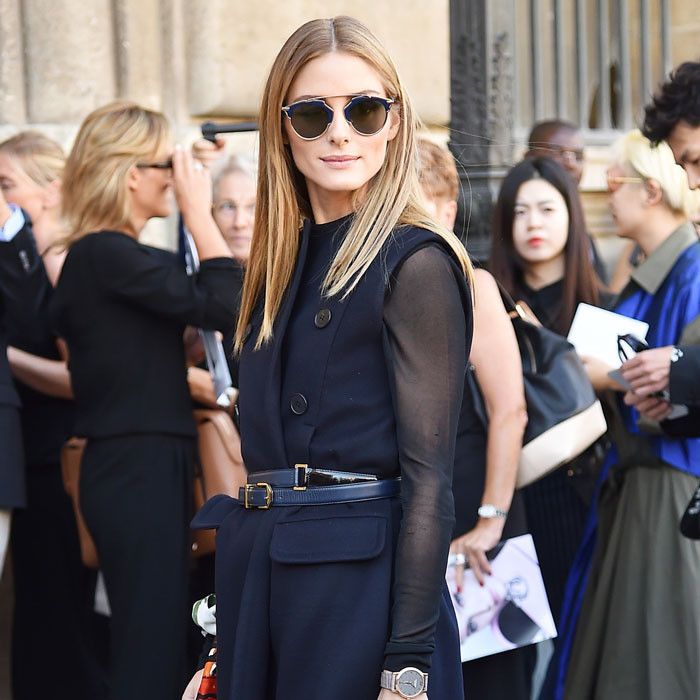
(58, 642)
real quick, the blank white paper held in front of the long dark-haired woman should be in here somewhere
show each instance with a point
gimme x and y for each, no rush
(594, 332)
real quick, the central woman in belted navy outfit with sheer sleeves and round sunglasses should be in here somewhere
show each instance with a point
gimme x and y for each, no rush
(354, 335)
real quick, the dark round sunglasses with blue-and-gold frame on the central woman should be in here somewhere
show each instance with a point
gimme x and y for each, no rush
(310, 119)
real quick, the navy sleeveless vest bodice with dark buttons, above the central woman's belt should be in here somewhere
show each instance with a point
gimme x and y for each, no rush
(337, 411)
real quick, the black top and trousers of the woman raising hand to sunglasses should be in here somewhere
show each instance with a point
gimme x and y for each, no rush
(122, 308)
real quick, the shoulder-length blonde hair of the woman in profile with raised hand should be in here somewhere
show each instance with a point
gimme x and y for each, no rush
(111, 140)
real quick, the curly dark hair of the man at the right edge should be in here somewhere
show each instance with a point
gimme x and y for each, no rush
(678, 100)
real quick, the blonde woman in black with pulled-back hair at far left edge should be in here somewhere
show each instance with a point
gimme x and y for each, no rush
(54, 592)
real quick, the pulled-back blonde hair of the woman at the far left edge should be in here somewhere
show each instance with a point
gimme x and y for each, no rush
(37, 156)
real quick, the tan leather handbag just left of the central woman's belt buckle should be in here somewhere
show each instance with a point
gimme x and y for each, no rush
(221, 468)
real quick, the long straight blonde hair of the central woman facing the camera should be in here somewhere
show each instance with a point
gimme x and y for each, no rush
(392, 199)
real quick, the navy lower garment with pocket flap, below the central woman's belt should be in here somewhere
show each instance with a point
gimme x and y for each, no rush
(304, 602)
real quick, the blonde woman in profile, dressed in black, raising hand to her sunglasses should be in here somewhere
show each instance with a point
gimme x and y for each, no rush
(122, 307)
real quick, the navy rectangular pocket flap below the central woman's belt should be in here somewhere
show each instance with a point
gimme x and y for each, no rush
(325, 540)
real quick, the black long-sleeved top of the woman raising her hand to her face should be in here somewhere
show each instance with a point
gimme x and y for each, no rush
(122, 308)
